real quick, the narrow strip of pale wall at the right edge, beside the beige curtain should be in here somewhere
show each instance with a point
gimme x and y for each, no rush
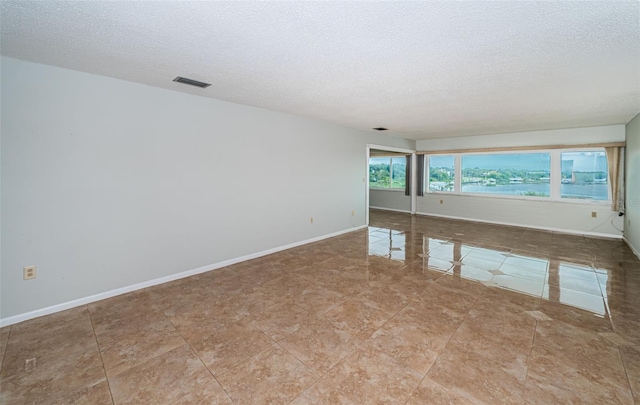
(632, 184)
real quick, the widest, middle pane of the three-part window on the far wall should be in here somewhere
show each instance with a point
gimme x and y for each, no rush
(525, 174)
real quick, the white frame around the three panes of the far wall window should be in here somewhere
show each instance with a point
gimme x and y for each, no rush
(555, 174)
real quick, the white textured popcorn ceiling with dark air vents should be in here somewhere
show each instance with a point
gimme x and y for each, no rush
(422, 69)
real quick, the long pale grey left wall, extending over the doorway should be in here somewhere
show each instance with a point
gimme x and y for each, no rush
(107, 183)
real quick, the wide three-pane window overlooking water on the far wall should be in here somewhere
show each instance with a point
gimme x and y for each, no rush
(556, 175)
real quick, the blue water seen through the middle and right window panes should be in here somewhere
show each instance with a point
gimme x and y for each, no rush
(592, 191)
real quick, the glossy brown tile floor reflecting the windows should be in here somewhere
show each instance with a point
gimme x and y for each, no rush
(413, 310)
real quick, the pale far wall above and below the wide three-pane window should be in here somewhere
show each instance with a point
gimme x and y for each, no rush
(554, 215)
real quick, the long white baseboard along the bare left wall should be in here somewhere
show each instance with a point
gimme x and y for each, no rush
(134, 287)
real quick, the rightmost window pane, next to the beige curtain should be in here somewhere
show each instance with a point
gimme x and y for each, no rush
(584, 175)
